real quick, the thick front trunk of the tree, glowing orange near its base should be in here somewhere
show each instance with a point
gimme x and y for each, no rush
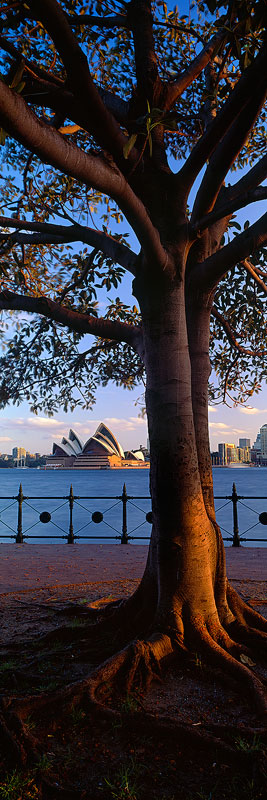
(184, 541)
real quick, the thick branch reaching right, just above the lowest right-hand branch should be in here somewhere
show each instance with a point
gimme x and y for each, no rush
(224, 209)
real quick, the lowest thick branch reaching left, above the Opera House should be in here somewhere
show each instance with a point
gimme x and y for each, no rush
(96, 326)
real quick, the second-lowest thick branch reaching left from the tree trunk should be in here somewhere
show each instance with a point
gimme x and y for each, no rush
(61, 234)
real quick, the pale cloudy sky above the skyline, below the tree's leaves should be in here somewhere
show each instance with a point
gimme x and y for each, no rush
(119, 408)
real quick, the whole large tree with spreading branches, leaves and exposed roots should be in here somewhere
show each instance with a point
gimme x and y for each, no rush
(194, 91)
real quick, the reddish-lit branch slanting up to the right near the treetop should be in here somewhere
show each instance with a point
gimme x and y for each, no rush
(177, 87)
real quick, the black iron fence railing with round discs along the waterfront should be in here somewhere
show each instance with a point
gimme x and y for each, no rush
(19, 534)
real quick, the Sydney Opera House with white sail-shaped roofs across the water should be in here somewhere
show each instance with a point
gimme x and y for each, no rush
(101, 451)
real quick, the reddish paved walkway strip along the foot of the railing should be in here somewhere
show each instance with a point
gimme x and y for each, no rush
(27, 567)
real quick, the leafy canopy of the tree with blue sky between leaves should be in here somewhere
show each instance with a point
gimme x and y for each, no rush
(43, 361)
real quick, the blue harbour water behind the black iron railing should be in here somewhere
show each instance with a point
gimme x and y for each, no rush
(53, 484)
